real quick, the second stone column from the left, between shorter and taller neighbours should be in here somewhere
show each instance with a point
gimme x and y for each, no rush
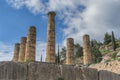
(22, 49)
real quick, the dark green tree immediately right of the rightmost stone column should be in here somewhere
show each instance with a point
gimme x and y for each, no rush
(96, 54)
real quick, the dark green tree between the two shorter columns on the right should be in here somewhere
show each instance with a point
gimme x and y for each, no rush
(78, 50)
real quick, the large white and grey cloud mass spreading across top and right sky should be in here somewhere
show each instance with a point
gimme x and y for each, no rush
(94, 17)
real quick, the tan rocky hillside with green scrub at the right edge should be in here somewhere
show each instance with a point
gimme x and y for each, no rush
(110, 59)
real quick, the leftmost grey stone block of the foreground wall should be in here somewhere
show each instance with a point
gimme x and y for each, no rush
(13, 71)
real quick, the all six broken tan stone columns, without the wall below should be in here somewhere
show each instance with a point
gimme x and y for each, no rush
(26, 50)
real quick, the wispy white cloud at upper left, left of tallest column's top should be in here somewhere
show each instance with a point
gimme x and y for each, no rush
(35, 6)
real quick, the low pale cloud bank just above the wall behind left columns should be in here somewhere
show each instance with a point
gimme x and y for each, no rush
(6, 51)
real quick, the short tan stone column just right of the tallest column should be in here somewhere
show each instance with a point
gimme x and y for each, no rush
(70, 51)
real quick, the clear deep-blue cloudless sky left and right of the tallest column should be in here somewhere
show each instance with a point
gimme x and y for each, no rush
(15, 23)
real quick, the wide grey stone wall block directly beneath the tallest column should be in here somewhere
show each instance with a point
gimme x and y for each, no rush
(43, 71)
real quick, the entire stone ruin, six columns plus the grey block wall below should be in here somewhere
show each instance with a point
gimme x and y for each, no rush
(24, 67)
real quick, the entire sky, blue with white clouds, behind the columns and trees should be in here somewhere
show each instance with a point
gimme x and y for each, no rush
(74, 19)
